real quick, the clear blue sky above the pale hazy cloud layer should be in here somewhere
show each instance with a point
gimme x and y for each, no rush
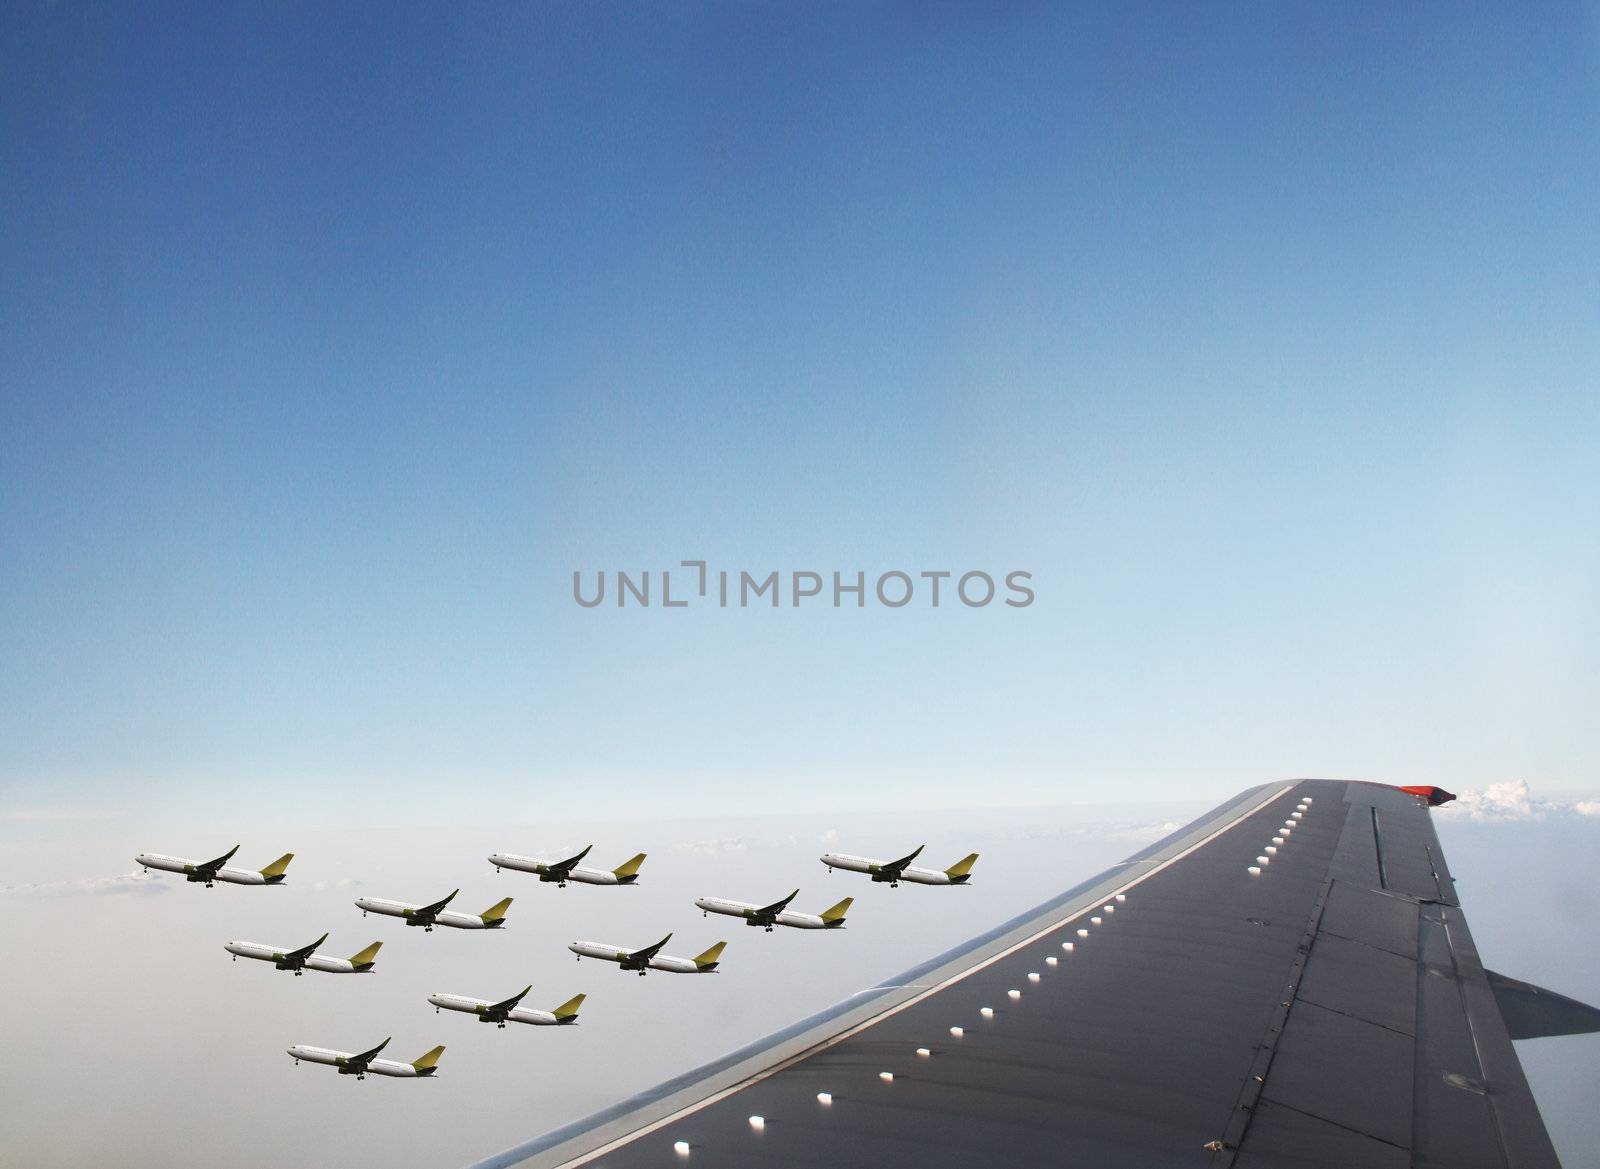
(334, 345)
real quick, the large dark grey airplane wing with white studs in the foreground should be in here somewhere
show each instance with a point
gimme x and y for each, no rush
(1319, 1007)
